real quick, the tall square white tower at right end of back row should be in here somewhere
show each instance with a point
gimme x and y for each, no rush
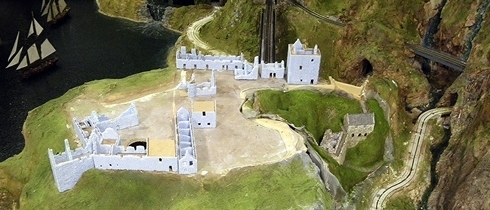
(303, 64)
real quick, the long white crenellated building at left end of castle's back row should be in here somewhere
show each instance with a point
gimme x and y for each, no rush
(198, 61)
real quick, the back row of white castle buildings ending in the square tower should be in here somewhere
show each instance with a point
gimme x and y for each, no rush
(303, 64)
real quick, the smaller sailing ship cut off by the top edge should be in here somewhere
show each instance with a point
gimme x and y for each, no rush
(55, 9)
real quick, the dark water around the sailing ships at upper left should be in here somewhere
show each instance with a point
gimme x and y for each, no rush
(90, 46)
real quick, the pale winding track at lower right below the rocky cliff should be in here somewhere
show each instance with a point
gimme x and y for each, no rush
(412, 162)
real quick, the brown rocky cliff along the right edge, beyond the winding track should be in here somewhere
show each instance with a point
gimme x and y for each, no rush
(463, 169)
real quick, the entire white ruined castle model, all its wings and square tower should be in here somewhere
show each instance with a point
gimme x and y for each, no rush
(101, 146)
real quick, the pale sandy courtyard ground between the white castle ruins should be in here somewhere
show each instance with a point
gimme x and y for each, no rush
(235, 142)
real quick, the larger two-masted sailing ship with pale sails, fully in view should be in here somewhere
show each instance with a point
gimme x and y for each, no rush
(32, 58)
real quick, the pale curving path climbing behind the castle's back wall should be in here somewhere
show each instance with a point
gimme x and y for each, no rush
(193, 34)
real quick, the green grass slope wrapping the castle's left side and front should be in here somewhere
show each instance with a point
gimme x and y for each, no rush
(290, 184)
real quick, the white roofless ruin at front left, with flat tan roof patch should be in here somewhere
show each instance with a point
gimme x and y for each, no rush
(102, 149)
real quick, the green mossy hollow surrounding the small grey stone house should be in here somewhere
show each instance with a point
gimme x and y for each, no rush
(318, 112)
